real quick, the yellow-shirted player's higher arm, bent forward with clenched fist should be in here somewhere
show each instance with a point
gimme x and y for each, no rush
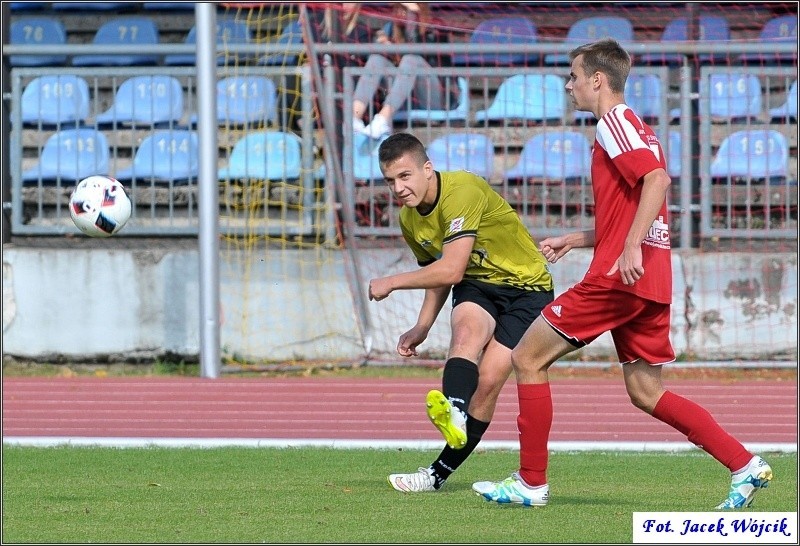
(446, 271)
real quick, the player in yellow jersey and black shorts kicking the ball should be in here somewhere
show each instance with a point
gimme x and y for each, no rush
(467, 238)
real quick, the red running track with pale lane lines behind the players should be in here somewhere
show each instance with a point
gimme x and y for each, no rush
(374, 411)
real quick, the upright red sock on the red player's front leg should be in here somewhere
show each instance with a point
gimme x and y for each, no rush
(534, 421)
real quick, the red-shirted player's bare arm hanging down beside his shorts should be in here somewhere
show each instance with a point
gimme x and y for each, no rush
(654, 192)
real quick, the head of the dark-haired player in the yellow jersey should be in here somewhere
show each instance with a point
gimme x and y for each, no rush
(407, 169)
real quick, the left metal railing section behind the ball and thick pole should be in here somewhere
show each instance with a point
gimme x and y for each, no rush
(161, 207)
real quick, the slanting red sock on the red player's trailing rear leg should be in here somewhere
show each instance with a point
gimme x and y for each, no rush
(701, 429)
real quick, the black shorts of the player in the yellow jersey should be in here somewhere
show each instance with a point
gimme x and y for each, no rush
(513, 309)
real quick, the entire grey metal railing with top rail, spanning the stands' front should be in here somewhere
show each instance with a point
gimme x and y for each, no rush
(169, 210)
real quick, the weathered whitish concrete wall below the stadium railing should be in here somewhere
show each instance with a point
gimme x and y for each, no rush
(87, 304)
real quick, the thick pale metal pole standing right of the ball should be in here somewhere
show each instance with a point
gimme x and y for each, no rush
(208, 194)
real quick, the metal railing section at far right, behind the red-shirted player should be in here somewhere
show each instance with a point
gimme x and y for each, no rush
(758, 199)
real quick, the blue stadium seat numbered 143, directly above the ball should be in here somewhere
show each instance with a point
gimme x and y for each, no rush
(71, 154)
